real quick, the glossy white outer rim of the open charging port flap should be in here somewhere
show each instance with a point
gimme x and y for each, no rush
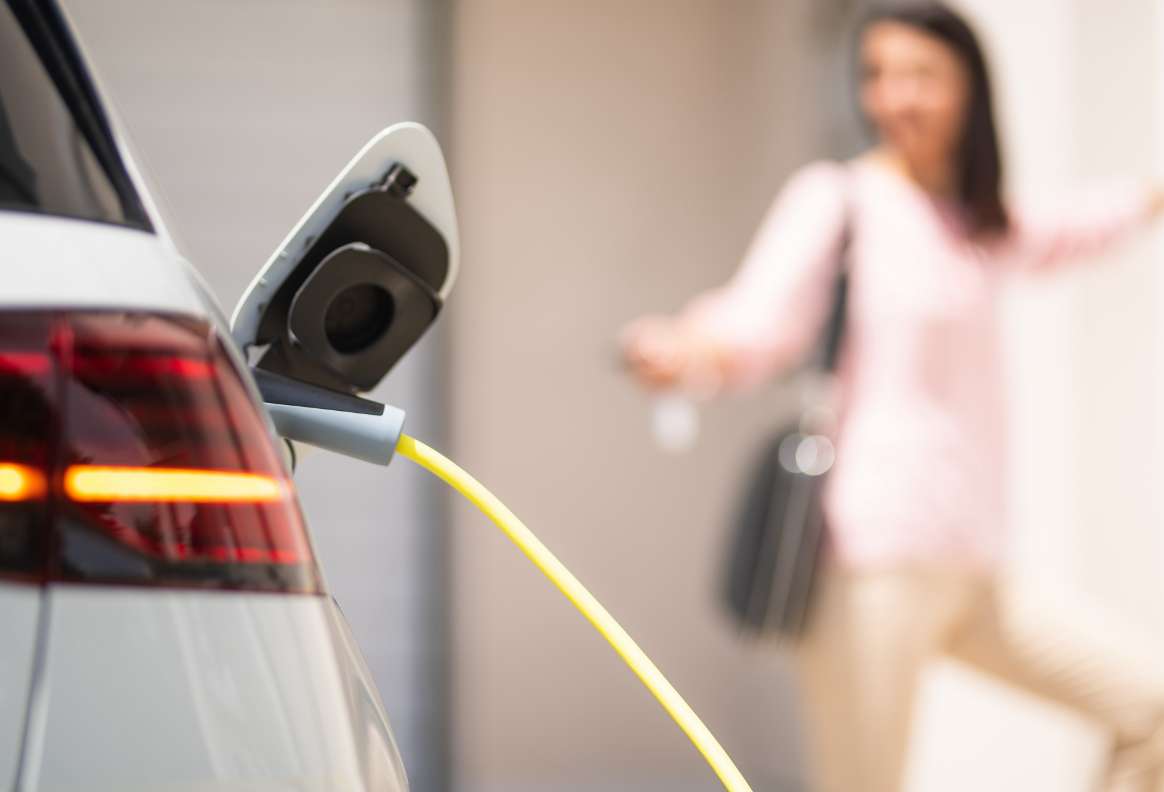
(409, 144)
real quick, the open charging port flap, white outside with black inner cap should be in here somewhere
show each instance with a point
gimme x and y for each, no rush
(363, 275)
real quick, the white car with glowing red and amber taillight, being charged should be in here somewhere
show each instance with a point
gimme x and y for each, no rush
(165, 621)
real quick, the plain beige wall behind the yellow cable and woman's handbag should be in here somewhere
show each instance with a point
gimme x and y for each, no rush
(611, 159)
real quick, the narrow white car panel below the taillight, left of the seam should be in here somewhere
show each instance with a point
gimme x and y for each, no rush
(20, 605)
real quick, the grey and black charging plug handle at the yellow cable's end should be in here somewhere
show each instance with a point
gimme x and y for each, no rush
(346, 425)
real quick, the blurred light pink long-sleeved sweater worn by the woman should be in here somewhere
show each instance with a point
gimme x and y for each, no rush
(920, 451)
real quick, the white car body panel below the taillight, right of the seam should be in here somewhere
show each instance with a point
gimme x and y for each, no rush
(204, 692)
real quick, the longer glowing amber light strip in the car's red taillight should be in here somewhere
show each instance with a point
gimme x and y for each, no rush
(93, 484)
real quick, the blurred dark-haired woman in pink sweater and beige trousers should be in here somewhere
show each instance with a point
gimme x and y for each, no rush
(915, 504)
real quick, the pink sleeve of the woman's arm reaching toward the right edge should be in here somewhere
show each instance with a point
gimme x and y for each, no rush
(1048, 238)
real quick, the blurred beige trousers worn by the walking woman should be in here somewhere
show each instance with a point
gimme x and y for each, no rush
(871, 634)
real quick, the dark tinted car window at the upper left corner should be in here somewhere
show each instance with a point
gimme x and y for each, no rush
(47, 162)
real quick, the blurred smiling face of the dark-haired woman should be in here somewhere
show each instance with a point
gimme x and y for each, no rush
(915, 91)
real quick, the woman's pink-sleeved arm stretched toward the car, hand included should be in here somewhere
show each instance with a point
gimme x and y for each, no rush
(771, 312)
